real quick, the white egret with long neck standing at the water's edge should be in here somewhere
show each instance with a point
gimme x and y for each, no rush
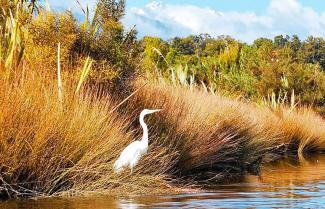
(131, 155)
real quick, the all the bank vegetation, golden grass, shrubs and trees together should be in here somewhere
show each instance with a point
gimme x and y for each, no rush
(227, 106)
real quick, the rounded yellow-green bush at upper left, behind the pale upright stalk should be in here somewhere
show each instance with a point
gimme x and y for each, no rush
(45, 32)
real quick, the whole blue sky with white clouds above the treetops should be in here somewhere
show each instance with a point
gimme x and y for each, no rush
(243, 19)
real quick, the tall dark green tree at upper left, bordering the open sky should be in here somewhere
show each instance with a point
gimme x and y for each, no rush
(104, 39)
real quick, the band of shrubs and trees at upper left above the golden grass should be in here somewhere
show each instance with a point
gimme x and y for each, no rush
(101, 37)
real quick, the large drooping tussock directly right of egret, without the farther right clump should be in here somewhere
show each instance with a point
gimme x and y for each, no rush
(212, 135)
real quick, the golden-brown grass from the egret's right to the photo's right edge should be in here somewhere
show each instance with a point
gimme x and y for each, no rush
(214, 135)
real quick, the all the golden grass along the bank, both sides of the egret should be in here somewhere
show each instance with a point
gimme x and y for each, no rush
(67, 147)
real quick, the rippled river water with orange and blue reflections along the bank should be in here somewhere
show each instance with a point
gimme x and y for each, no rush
(286, 184)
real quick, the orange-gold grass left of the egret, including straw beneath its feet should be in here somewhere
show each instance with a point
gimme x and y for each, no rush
(52, 147)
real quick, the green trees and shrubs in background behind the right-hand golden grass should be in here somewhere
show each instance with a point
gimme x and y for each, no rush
(263, 69)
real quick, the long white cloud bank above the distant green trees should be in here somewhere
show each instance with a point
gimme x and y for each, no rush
(281, 17)
